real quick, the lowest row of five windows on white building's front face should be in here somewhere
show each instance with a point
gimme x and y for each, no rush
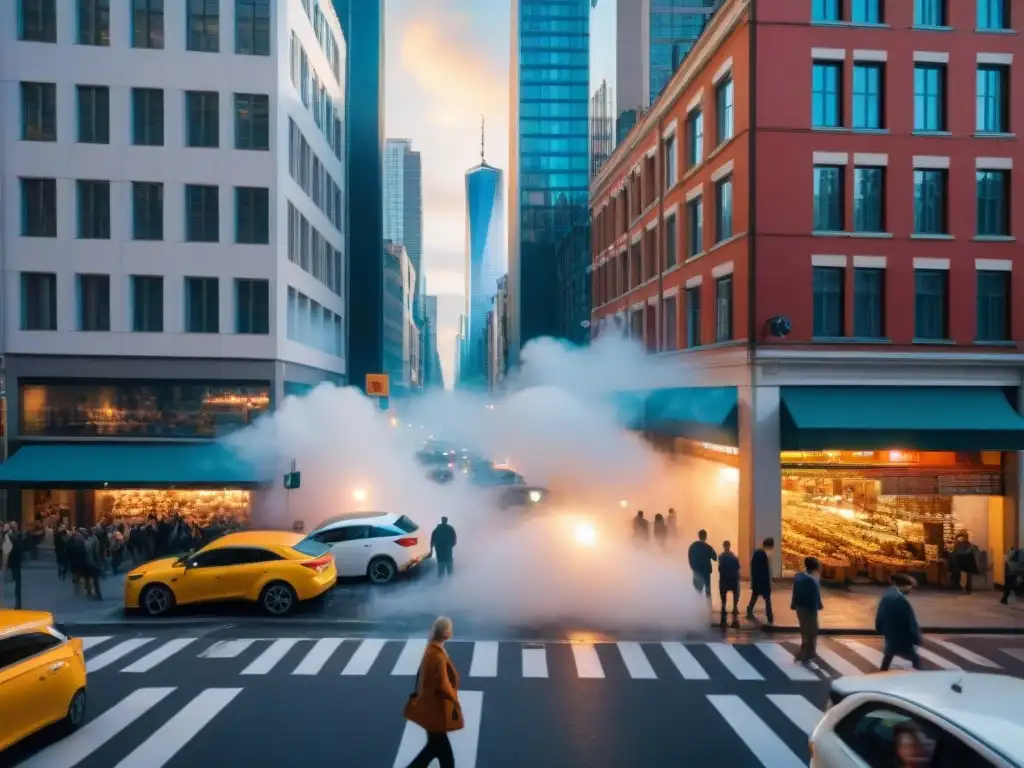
(202, 305)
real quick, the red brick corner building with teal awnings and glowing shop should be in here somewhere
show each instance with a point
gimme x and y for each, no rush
(821, 251)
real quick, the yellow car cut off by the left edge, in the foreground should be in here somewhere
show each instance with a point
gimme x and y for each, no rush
(42, 676)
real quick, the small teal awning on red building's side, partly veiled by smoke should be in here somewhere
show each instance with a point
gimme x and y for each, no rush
(707, 414)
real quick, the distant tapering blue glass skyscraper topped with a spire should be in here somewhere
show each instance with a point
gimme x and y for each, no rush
(485, 264)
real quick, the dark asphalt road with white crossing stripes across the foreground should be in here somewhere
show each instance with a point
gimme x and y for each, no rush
(231, 697)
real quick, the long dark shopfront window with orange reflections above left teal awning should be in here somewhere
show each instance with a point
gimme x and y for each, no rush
(151, 410)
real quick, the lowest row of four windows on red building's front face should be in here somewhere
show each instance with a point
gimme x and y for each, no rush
(931, 305)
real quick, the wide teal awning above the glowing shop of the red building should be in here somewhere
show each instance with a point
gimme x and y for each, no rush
(914, 418)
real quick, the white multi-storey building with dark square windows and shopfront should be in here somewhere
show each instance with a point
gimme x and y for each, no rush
(174, 238)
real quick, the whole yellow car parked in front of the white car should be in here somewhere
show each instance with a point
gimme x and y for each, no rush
(275, 569)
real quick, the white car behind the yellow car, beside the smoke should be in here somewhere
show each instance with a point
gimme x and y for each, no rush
(378, 545)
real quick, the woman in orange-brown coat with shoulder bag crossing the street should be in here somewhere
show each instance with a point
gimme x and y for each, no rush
(435, 703)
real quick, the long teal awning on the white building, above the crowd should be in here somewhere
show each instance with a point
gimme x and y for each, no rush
(129, 465)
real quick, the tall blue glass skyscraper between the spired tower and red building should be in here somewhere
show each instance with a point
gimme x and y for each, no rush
(549, 154)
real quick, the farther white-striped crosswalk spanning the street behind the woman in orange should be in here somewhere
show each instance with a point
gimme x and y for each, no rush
(481, 660)
